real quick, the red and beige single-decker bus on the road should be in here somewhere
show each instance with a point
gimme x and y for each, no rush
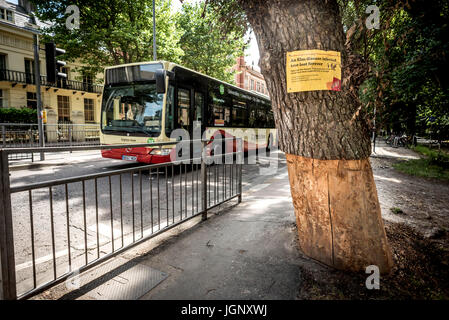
(145, 102)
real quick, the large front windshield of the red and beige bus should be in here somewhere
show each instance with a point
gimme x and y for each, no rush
(135, 108)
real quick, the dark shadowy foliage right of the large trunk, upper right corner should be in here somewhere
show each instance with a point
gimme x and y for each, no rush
(407, 59)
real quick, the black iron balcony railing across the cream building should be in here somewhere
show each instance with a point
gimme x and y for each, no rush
(17, 77)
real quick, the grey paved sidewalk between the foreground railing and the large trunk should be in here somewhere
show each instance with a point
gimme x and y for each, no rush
(246, 251)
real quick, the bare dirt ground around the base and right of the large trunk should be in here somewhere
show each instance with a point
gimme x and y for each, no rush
(419, 239)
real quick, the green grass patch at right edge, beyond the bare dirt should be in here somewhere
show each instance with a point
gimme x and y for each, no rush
(435, 165)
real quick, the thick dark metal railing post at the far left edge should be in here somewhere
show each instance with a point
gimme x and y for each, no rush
(7, 263)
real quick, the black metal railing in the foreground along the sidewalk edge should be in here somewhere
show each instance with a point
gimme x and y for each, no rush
(55, 229)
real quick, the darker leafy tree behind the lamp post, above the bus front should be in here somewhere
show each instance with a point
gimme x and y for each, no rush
(112, 32)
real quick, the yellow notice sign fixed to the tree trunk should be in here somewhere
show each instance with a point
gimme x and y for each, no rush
(312, 70)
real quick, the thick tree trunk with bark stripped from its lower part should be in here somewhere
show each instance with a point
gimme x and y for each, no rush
(324, 136)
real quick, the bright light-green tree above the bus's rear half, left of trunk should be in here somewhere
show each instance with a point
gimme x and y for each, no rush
(207, 46)
